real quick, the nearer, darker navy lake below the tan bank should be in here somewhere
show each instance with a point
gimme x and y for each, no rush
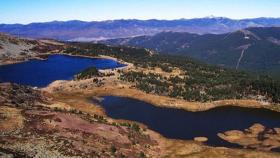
(181, 124)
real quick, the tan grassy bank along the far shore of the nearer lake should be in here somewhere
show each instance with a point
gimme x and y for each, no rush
(122, 90)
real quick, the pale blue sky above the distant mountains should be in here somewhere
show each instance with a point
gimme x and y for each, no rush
(27, 11)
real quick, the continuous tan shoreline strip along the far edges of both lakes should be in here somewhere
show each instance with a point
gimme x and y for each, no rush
(118, 88)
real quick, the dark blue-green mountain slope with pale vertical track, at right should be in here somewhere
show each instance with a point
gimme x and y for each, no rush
(253, 49)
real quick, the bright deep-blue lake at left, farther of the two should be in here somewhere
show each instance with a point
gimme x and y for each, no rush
(40, 73)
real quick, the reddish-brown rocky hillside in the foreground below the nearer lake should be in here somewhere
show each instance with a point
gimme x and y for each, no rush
(52, 128)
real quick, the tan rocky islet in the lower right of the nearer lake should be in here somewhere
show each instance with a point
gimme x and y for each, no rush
(257, 137)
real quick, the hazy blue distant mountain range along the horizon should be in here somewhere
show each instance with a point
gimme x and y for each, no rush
(99, 30)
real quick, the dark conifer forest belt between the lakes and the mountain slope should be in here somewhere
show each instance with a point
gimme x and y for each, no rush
(200, 82)
